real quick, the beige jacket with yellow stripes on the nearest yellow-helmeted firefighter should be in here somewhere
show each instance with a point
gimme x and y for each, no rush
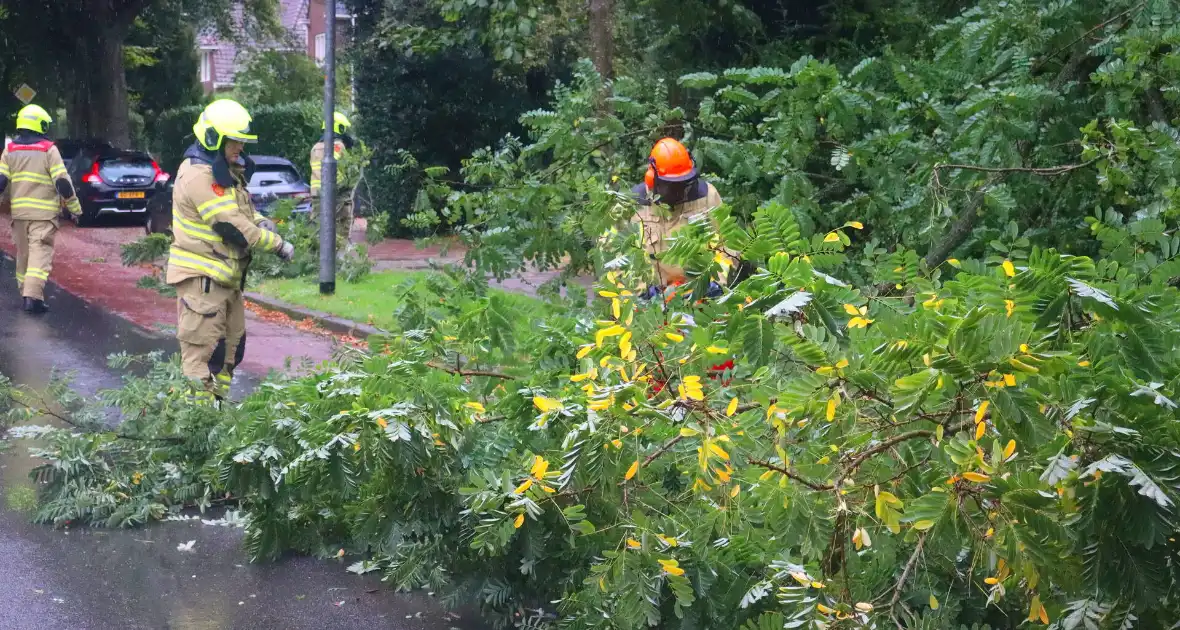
(199, 251)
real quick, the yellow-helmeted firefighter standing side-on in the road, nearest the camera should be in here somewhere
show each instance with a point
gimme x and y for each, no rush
(215, 228)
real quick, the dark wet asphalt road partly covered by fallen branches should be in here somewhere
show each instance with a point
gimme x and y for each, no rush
(132, 580)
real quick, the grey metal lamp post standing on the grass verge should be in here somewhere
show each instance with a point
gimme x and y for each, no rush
(329, 172)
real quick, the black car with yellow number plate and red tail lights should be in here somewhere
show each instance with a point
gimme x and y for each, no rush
(114, 181)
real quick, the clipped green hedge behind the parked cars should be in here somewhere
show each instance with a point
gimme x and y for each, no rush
(286, 132)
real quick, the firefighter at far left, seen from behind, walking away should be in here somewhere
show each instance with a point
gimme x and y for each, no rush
(31, 166)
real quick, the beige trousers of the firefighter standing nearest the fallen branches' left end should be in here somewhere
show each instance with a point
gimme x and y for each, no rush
(212, 331)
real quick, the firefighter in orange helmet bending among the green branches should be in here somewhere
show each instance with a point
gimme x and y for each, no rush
(672, 195)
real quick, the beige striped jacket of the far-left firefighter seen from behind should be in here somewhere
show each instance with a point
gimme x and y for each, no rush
(34, 172)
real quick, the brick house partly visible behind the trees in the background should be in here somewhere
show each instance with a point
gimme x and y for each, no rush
(304, 31)
